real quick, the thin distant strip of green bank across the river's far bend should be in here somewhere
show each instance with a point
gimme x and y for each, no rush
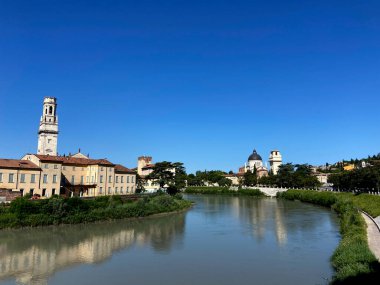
(224, 191)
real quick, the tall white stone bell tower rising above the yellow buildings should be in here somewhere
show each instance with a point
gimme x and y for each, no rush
(48, 130)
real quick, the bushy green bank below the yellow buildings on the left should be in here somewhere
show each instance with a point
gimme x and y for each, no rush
(57, 210)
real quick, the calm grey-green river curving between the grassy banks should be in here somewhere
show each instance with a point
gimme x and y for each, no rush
(221, 240)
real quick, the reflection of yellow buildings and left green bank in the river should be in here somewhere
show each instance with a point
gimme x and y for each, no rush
(32, 255)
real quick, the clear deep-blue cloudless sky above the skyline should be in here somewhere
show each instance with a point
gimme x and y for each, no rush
(201, 82)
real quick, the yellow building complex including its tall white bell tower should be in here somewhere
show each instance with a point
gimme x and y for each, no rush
(46, 173)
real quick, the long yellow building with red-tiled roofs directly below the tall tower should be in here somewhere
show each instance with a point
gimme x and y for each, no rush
(82, 176)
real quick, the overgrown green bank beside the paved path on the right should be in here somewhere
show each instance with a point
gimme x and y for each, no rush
(353, 261)
